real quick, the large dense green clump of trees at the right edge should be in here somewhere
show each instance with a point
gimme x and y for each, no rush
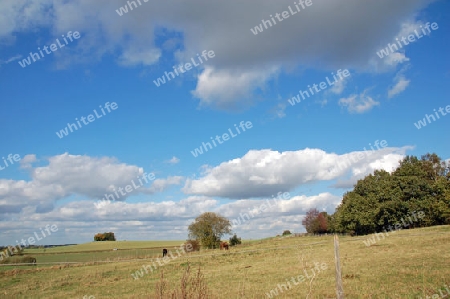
(382, 198)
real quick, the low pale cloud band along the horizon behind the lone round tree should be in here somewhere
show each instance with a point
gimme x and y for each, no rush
(166, 220)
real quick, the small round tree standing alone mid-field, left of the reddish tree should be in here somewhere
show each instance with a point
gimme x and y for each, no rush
(208, 228)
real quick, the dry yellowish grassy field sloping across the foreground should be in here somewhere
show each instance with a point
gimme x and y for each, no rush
(405, 264)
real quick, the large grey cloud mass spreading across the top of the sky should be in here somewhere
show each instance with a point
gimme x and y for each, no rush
(243, 63)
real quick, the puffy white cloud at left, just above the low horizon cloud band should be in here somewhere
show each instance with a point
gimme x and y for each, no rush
(67, 175)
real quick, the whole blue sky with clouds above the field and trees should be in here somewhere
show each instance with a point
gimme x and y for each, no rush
(136, 117)
